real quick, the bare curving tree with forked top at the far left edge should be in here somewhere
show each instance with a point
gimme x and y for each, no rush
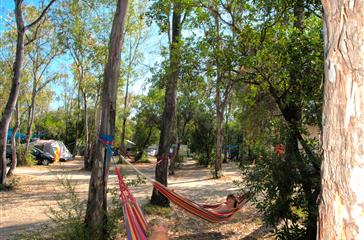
(17, 68)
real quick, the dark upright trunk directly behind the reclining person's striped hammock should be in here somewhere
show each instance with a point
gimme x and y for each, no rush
(169, 112)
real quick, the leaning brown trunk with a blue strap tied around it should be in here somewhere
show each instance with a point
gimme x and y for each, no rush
(96, 218)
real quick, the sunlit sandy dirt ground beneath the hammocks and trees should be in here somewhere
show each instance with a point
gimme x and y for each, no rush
(27, 207)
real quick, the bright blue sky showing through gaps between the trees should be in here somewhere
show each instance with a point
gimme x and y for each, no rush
(150, 48)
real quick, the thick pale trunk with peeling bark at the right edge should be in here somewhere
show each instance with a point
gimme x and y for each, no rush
(342, 202)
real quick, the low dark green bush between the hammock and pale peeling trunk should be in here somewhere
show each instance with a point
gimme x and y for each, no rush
(279, 193)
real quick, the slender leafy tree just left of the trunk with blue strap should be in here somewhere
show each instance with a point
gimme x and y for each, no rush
(81, 32)
